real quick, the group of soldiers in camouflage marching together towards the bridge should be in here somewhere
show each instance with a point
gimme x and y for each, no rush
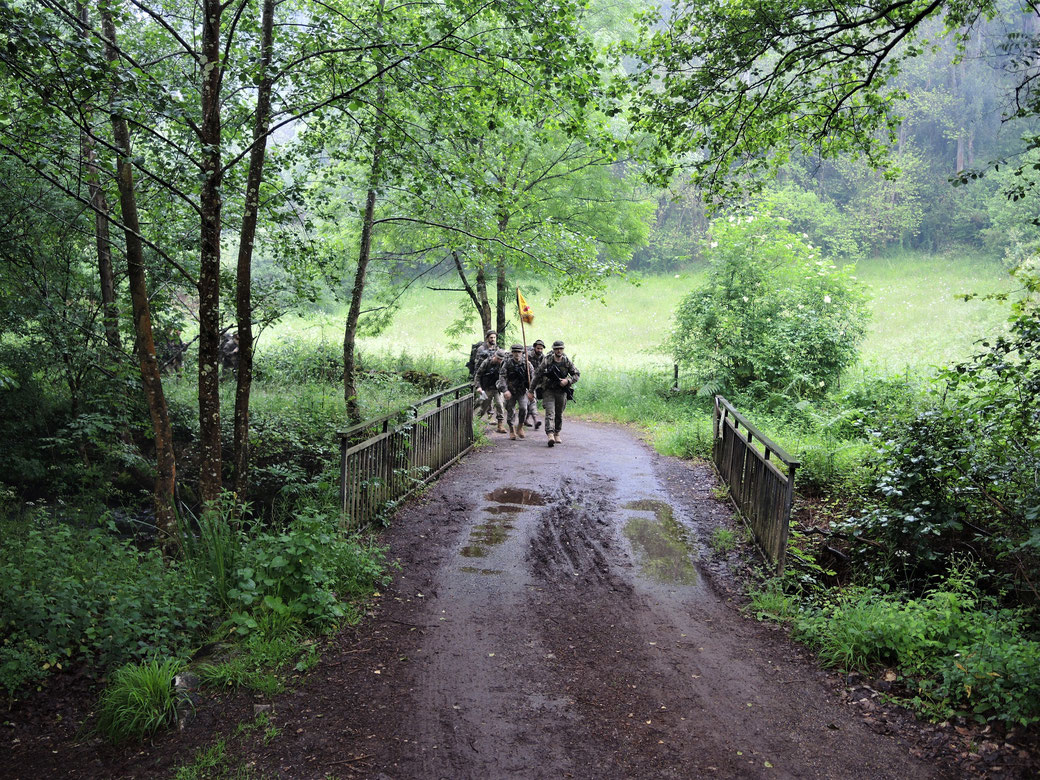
(512, 382)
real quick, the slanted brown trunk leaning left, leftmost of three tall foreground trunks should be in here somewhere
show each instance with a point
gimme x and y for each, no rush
(166, 478)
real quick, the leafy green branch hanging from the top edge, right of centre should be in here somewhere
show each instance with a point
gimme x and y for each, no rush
(733, 90)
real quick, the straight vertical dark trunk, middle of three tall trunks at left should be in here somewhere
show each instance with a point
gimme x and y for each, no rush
(210, 282)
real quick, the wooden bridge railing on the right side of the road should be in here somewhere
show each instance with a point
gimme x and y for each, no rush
(763, 492)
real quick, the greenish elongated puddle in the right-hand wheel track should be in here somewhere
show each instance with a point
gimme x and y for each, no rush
(664, 552)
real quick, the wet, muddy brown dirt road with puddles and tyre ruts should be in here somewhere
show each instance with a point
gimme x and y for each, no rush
(552, 620)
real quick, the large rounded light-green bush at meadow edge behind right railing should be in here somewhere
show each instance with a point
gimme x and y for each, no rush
(772, 316)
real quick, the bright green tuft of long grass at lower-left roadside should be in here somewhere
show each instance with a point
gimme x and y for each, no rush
(140, 700)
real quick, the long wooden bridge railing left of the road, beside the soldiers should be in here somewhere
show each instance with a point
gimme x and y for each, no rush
(400, 457)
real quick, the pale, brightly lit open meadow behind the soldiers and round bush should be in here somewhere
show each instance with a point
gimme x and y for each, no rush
(919, 322)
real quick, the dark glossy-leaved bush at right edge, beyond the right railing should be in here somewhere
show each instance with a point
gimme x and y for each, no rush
(958, 474)
